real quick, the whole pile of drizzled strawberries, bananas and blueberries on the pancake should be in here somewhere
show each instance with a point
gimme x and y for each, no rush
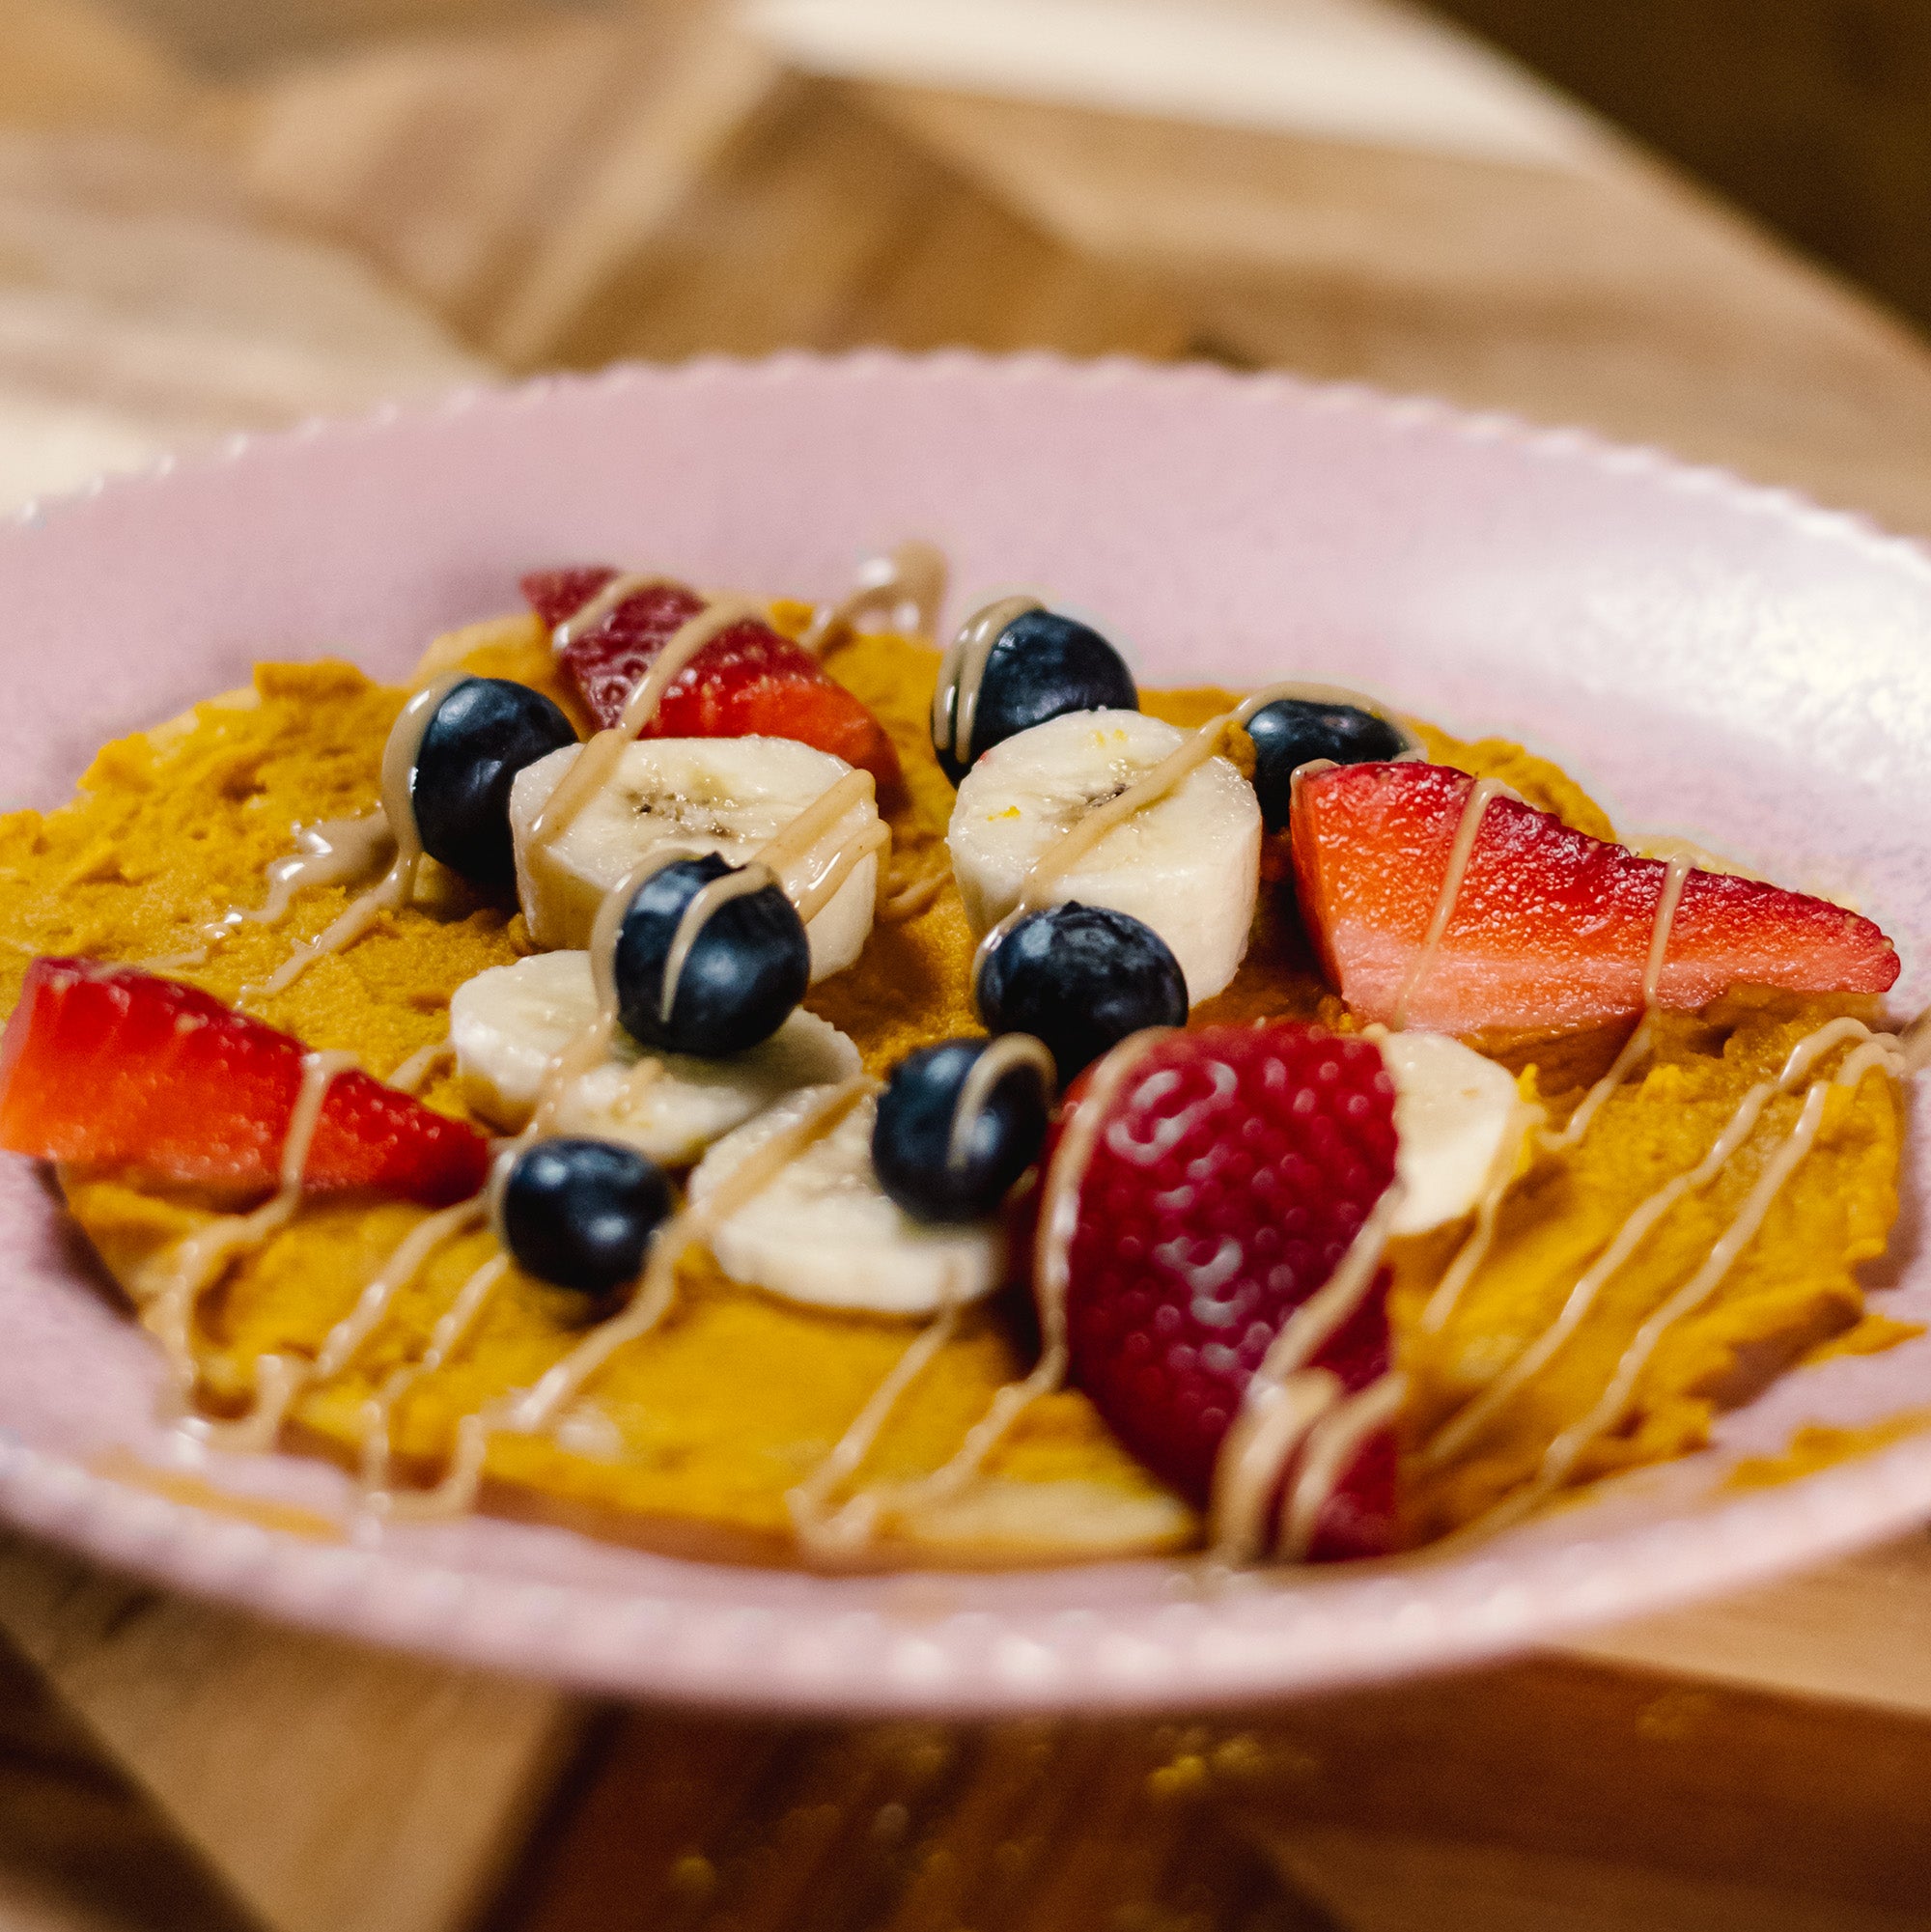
(1202, 1208)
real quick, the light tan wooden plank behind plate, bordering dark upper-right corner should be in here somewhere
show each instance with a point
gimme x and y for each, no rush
(1608, 295)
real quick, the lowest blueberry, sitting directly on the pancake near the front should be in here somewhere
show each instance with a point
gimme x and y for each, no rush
(582, 1212)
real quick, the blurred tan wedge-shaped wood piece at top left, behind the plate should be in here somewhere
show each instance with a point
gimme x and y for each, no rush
(505, 179)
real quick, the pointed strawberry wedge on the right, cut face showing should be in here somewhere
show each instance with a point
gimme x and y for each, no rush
(1550, 930)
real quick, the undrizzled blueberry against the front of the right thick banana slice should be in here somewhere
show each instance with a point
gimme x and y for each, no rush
(1080, 979)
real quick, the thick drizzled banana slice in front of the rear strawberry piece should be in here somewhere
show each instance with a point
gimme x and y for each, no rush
(704, 795)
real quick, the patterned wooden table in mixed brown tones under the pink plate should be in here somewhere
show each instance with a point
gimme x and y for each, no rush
(1322, 185)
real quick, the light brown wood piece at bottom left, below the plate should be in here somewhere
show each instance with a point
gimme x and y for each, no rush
(335, 1788)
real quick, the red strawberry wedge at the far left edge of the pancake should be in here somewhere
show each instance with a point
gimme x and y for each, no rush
(117, 1067)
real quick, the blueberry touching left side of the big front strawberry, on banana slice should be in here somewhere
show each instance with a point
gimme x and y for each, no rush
(912, 1137)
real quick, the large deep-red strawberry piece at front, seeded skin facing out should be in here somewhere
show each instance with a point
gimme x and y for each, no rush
(1235, 1168)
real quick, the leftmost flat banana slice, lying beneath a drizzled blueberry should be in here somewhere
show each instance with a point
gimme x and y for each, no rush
(511, 1021)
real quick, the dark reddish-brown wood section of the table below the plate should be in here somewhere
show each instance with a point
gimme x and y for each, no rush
(1550, 1794)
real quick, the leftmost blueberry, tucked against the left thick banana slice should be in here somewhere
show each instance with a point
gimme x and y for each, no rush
(474, 747)
